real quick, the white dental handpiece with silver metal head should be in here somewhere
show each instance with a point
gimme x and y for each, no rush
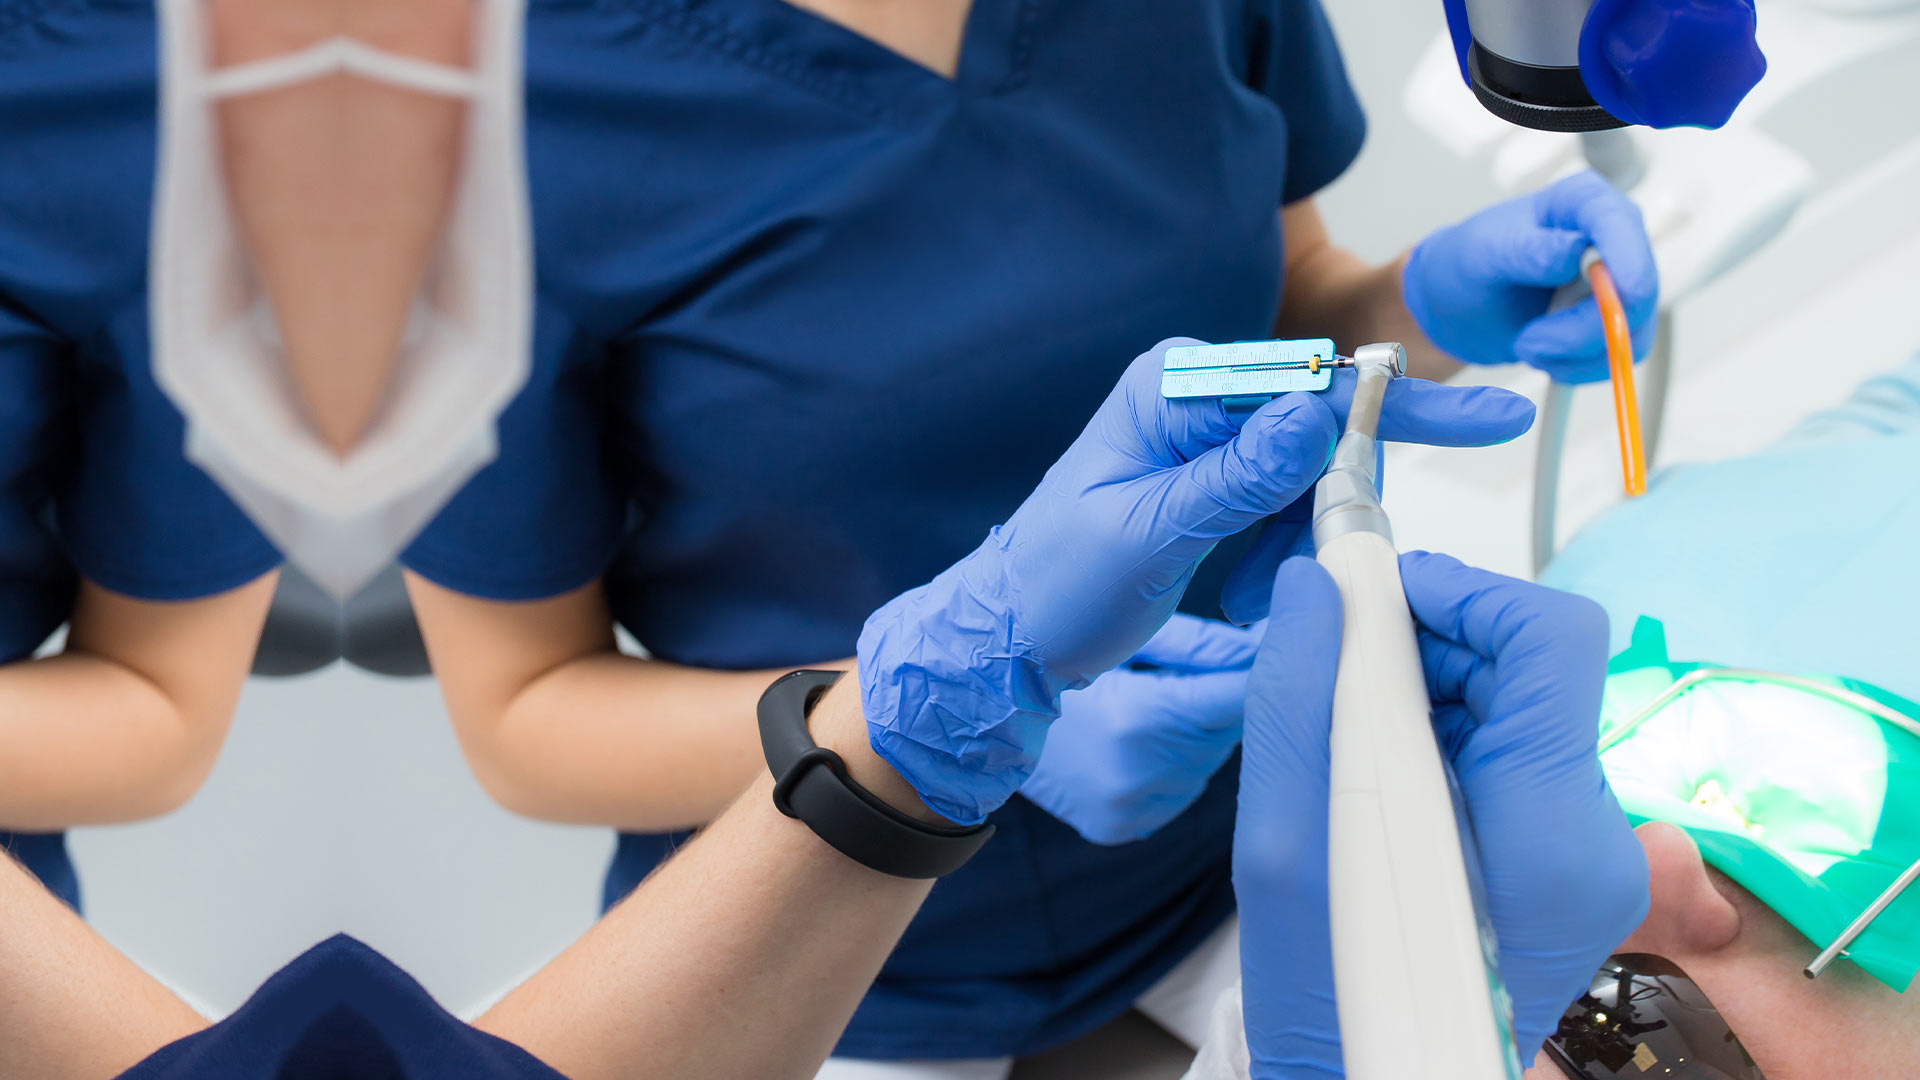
(1416, 964)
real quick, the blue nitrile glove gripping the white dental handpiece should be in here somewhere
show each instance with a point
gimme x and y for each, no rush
(1516, 675)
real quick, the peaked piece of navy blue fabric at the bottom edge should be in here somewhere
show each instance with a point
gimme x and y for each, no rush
(341, 1012)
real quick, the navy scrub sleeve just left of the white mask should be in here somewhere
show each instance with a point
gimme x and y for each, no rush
(133, 514)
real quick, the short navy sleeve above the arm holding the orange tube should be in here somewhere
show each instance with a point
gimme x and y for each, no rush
(1295, 61)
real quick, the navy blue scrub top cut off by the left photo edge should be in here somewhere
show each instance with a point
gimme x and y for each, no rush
(93, 468)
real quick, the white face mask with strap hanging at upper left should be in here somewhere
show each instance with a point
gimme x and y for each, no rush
(466, 351)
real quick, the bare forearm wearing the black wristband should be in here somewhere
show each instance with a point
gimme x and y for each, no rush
(740, 960)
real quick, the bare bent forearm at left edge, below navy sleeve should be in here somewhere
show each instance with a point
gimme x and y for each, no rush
(91, 743)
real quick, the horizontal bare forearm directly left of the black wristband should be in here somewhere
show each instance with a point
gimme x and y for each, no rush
(636, 745)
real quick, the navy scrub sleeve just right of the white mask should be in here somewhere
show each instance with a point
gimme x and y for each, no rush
(544, 516)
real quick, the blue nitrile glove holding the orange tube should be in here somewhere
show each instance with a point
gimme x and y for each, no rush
(1481, 289)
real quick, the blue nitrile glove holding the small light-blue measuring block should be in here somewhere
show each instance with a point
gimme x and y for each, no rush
(963, 675)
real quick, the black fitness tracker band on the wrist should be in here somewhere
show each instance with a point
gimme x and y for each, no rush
(813, 787)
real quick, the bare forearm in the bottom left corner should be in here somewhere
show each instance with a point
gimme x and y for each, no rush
(72, 1008)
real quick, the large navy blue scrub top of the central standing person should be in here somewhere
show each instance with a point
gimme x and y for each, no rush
(813, 320)
